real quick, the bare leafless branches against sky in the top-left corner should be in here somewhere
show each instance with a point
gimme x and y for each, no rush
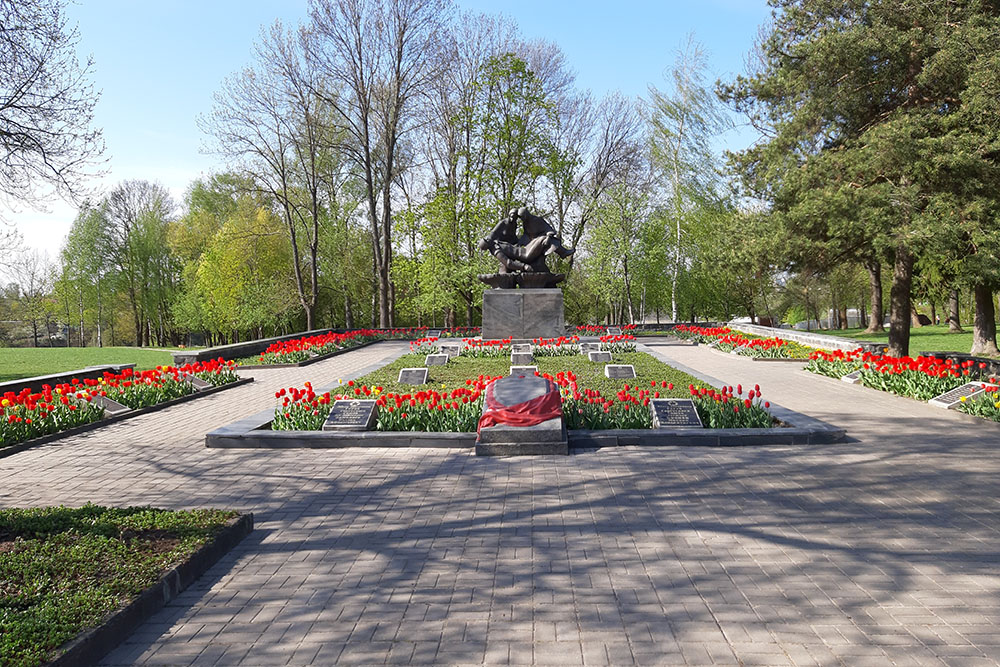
(46, 103)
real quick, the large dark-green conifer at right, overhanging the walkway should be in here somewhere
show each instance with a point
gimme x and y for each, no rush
(892, 102)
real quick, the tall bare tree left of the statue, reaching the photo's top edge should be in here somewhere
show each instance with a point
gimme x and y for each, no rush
(378, 55)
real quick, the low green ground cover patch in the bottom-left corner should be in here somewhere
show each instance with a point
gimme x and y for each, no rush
(63, 570)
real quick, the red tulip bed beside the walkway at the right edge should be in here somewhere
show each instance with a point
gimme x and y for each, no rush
(921, 378)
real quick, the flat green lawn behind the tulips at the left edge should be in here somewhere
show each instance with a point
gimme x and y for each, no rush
(22, 362)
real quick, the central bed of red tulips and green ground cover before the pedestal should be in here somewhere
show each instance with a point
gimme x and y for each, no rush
(452, 400)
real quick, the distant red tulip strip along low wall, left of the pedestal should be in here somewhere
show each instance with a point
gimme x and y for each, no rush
(297, 350)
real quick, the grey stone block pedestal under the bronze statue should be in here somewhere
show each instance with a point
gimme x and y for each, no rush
(523, 314)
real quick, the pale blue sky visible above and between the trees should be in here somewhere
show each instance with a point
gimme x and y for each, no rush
(157, 65)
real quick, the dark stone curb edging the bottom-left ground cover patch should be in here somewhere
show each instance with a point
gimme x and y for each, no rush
(92, 645)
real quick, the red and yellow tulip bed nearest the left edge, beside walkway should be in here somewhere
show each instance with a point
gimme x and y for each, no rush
(25, 415)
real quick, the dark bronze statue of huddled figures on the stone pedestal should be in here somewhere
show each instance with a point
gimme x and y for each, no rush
(522, 258)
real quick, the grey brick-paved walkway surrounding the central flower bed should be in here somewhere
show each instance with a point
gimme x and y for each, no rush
(883, 550)
